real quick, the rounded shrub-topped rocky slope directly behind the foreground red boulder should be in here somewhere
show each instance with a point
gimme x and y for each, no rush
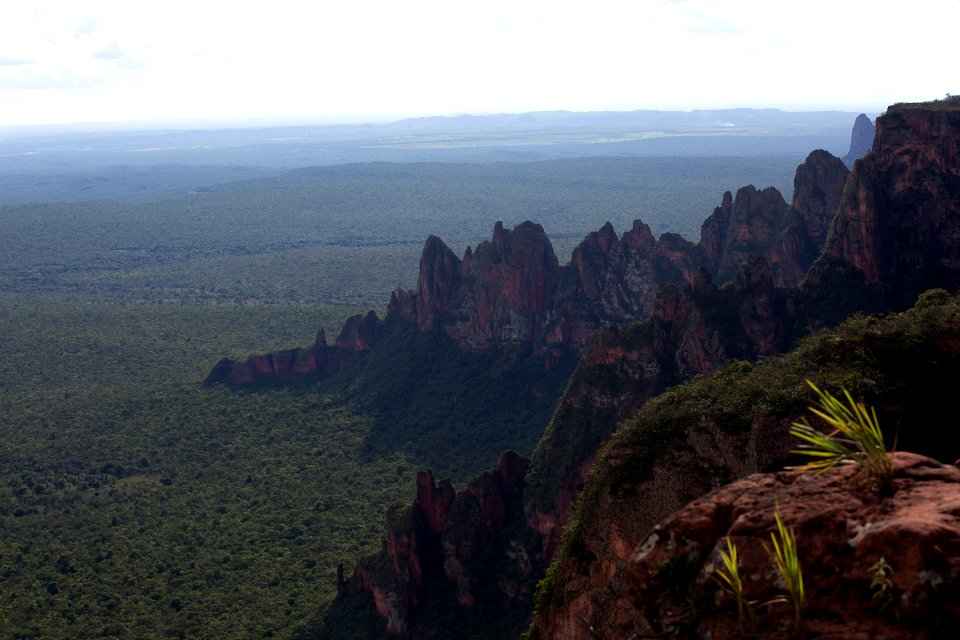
(702, 435)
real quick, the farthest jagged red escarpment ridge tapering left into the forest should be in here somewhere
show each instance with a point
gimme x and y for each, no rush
(511, 291)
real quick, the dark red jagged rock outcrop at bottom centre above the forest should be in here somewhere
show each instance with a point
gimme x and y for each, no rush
(444, 553)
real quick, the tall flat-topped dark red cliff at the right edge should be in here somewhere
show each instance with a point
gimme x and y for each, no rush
(897, 230)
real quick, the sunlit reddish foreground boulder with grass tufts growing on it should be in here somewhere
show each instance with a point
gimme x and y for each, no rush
(847, 537)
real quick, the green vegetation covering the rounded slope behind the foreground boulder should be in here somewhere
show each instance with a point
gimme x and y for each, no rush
(904, 364)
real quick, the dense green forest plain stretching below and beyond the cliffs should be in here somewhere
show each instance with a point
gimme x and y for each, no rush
(134, 504)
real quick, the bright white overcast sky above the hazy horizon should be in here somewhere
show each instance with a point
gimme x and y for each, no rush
(69, 61)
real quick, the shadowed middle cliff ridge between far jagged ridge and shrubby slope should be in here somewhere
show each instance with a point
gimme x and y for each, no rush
(694, 330)
